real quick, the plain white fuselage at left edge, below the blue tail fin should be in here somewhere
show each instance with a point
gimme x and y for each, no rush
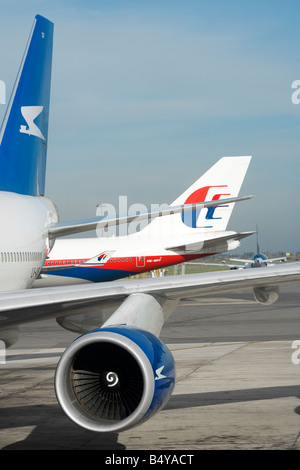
(24, 241)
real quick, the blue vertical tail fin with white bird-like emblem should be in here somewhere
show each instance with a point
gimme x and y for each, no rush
(24, 131)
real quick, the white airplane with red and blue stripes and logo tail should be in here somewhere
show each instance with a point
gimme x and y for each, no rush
(164, 242)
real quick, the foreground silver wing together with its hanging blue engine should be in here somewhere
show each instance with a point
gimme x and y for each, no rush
(120, 368)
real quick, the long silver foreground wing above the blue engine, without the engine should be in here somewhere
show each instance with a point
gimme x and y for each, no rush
(51, 302)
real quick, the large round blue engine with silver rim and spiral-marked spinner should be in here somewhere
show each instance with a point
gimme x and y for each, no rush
(114, 378)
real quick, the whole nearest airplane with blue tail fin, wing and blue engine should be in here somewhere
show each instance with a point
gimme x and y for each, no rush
(117, 373)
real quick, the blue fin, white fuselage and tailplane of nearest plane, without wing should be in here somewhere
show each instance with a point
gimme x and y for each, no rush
(29, 220)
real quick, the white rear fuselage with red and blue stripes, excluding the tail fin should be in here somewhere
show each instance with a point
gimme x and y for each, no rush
(106, 259)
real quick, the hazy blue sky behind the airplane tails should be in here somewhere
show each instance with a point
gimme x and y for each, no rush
(147, 95)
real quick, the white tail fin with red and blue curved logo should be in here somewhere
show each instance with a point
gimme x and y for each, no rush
(221, 181)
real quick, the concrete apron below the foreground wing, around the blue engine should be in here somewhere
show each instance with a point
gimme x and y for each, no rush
(237, 384)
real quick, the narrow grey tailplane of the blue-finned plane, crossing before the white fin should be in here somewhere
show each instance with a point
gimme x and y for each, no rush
(63, 229)
